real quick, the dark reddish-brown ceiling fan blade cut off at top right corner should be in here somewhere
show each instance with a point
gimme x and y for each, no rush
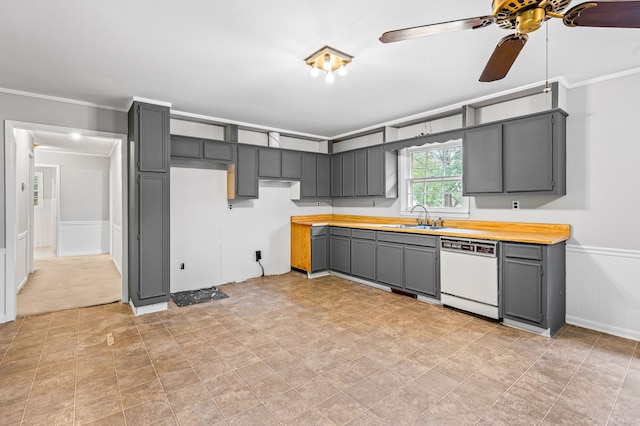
(616, 14)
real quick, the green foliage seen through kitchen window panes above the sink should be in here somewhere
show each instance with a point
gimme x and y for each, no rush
(435, 176)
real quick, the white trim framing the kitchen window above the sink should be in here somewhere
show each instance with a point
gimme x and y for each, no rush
(403, 172)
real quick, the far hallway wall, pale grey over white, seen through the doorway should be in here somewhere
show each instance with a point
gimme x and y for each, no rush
(84, 202)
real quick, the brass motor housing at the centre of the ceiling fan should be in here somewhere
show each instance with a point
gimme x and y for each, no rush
(508, 13)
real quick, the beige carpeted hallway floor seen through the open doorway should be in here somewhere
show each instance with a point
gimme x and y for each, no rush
(68, 283)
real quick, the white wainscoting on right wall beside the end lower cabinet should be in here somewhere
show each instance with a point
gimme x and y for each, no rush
(603, 290)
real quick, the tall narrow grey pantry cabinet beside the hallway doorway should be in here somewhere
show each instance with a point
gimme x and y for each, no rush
(148, 237)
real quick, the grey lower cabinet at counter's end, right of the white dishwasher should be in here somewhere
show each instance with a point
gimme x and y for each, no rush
(533, 284)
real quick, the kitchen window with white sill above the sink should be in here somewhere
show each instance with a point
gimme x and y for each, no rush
(432, 176)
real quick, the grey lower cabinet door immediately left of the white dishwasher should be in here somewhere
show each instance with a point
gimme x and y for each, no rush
(420, 270)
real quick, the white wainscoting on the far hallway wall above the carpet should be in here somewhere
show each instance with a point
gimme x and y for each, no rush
(78, 238)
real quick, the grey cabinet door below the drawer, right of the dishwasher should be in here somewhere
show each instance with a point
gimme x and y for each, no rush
(523, 290)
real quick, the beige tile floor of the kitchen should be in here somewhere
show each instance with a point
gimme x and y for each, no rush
(287, 350)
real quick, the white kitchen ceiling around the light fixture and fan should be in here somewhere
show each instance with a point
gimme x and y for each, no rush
(243, 61)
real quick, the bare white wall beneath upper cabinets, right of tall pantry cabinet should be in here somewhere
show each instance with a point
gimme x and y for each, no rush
(218, 245)
